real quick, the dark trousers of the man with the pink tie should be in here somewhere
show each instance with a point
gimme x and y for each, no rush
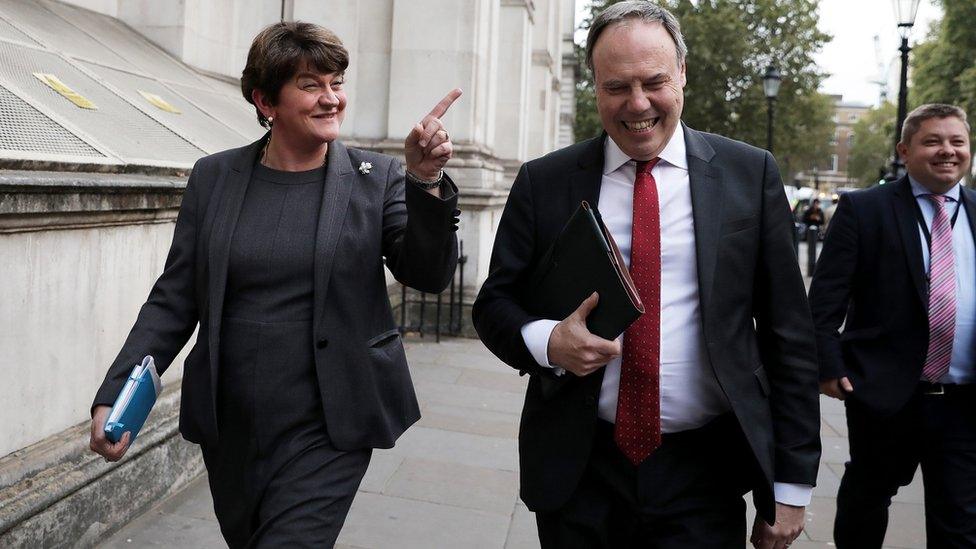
(937, 432)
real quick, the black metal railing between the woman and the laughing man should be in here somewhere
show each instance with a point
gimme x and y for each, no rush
(419, 302)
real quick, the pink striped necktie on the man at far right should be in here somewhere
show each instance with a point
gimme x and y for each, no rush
(942, 294)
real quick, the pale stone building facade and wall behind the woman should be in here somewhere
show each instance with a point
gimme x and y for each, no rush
(88, 197)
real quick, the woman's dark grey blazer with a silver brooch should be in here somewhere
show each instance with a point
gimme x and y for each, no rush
(366, 389)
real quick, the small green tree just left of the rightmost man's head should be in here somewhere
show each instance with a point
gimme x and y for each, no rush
(873, 145)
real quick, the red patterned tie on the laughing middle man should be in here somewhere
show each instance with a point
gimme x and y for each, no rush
(638, 425)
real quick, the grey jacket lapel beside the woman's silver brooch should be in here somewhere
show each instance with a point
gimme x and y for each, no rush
(339, 180)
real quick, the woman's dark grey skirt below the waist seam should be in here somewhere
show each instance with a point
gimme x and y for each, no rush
(276, 478)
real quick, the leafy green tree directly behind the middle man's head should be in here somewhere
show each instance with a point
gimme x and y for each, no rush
(730, 43)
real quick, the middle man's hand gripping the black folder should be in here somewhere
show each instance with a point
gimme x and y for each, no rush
(574, 348)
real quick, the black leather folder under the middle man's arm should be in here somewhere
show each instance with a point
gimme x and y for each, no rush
(585, 259)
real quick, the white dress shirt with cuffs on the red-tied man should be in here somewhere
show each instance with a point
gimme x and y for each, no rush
(690, 394)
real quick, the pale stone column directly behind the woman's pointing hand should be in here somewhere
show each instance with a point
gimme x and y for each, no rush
(438, 45)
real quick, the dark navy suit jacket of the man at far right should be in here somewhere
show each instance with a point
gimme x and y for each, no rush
(871, 273)
